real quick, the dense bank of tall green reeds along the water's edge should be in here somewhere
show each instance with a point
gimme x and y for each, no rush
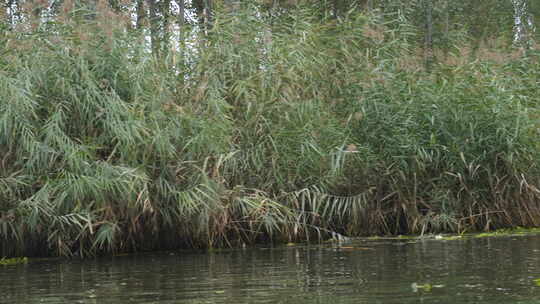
(292, 125)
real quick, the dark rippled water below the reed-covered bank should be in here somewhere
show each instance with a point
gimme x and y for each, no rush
(482, 270)
